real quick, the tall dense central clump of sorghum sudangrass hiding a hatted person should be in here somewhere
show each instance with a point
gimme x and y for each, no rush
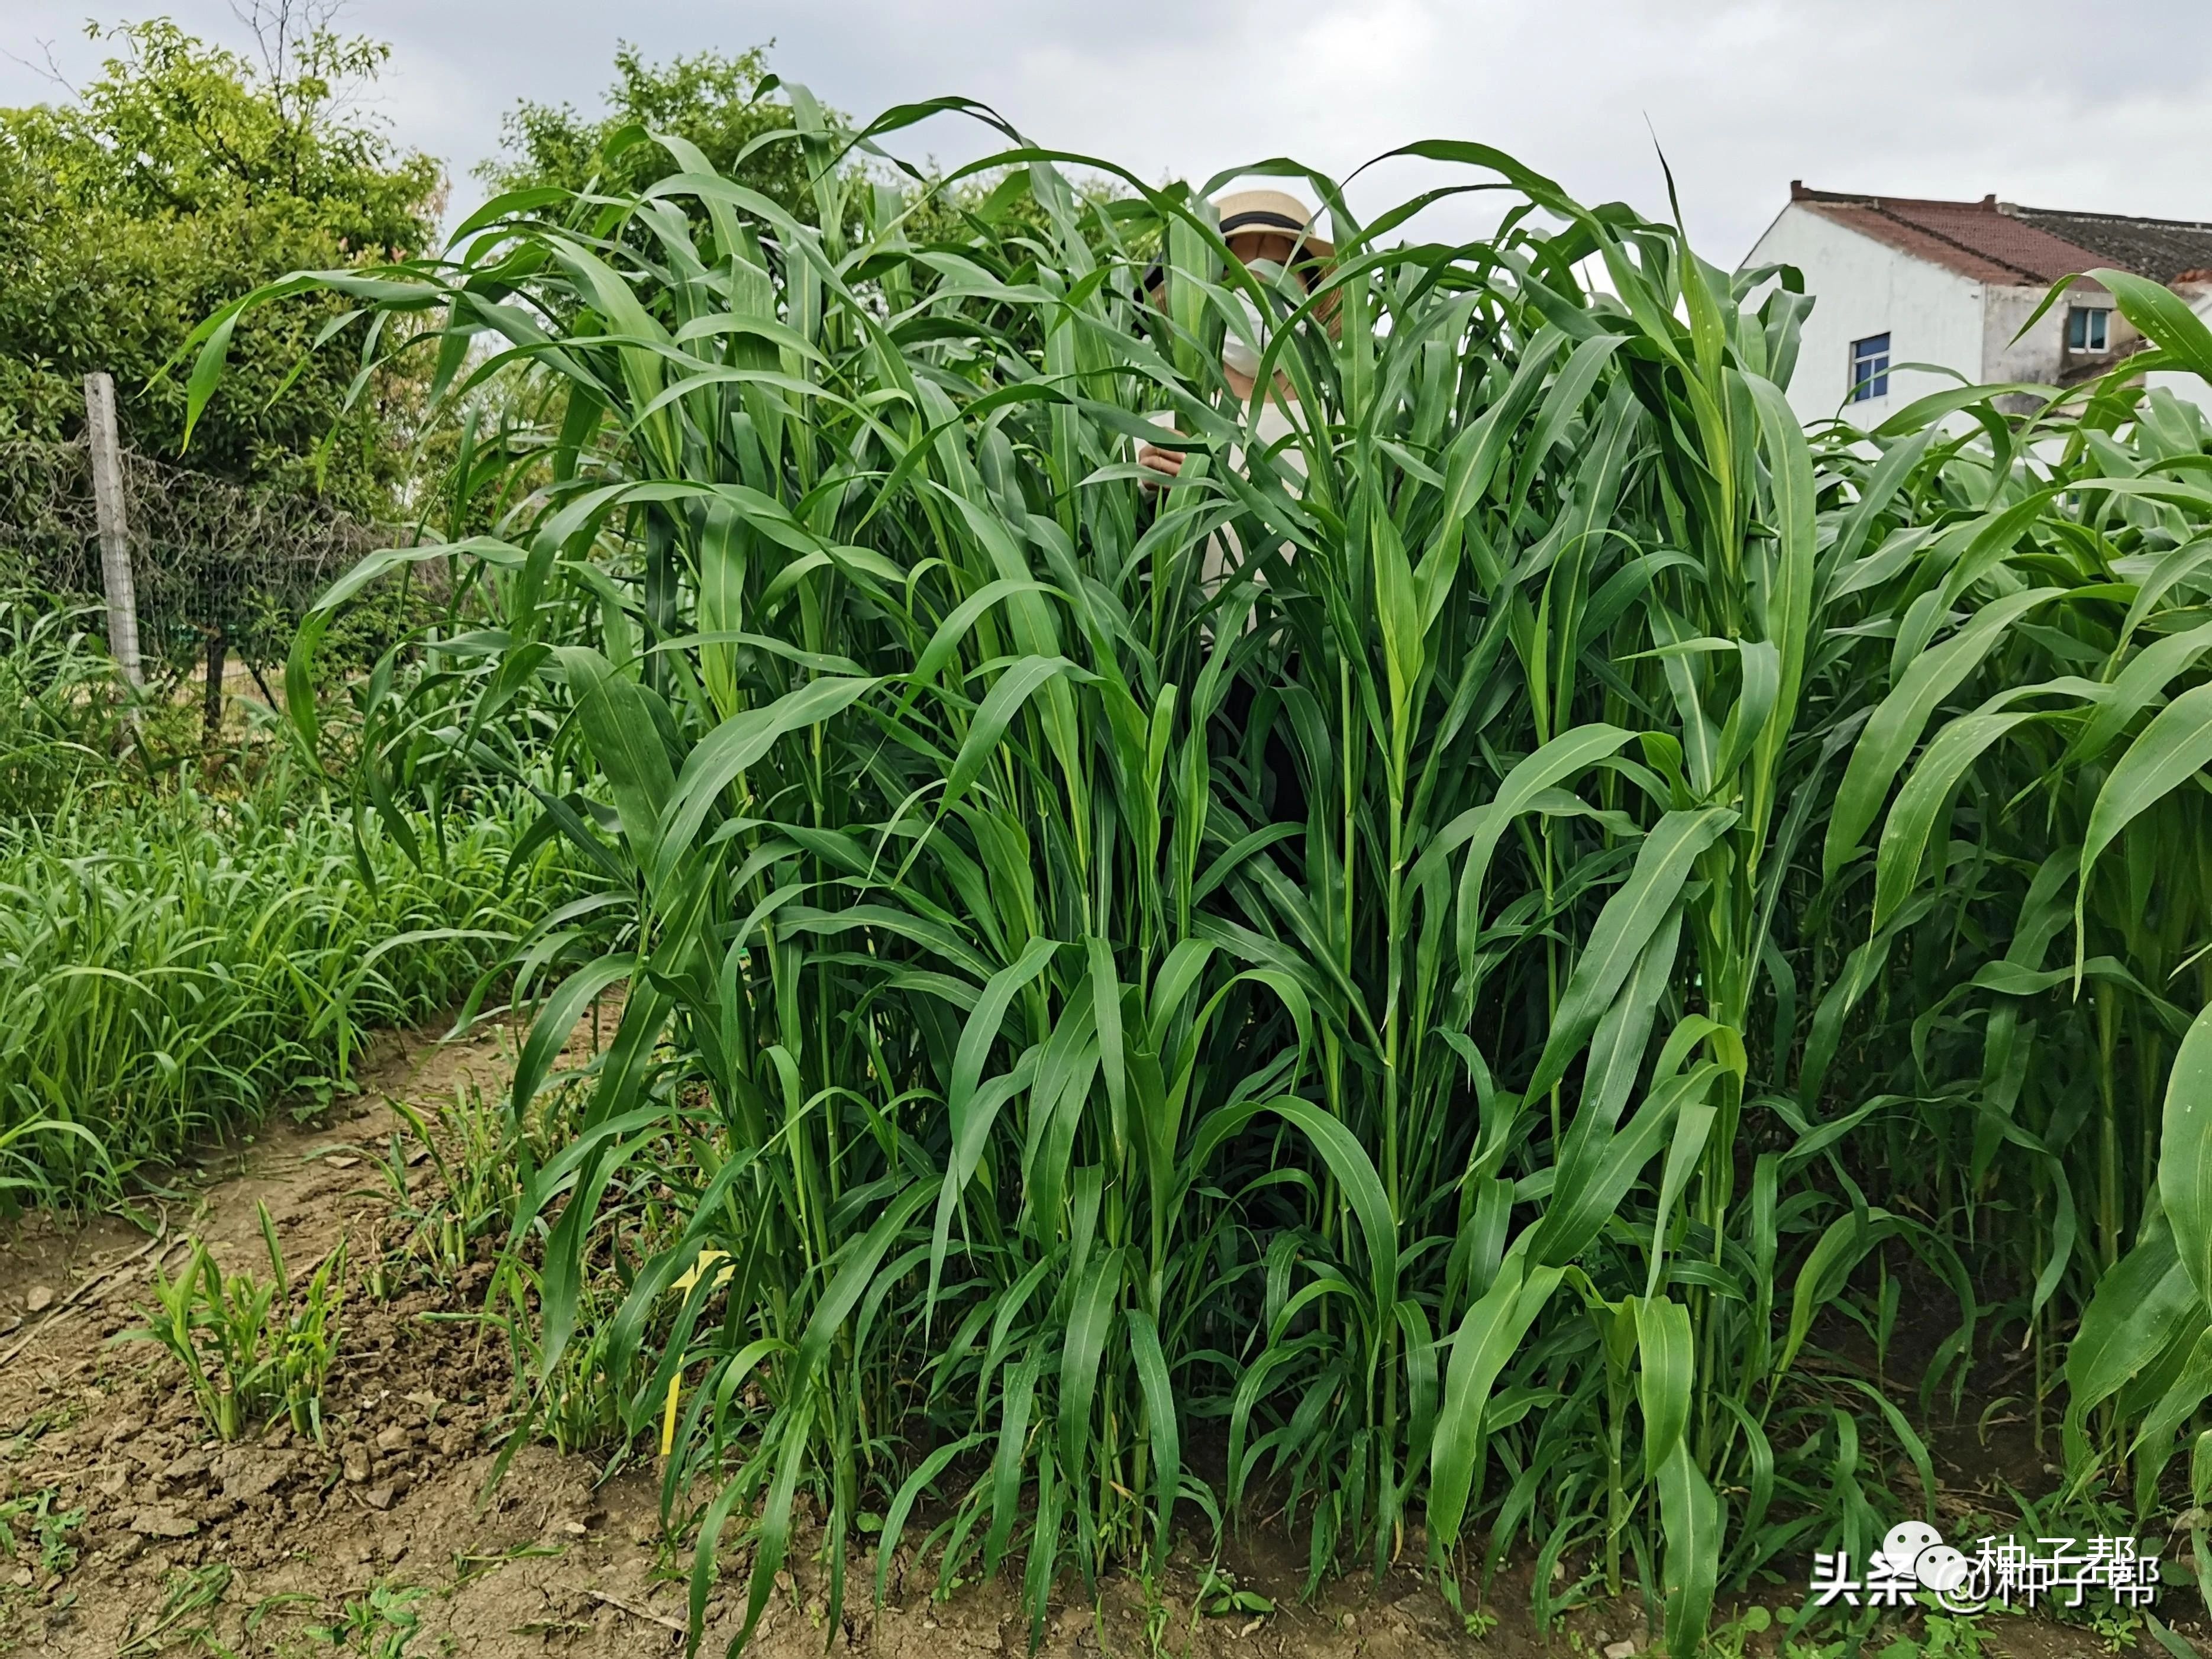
(1377, 1012)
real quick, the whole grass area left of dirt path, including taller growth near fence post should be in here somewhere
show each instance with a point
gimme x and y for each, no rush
(191, 941)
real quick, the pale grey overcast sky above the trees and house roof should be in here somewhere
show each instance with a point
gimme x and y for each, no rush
(2054, 105)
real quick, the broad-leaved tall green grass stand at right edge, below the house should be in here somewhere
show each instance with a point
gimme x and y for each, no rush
(2036, 904)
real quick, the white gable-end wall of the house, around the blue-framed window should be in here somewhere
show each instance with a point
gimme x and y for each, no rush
(1866, 289)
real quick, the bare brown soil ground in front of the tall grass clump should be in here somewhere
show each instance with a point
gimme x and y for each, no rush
(134, 1534)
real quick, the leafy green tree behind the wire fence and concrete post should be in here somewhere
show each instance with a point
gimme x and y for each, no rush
(176, 182)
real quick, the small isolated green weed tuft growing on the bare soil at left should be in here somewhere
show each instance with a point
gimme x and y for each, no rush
(251, 1348)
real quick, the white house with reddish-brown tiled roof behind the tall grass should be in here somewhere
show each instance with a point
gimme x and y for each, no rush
(1903, 282)
